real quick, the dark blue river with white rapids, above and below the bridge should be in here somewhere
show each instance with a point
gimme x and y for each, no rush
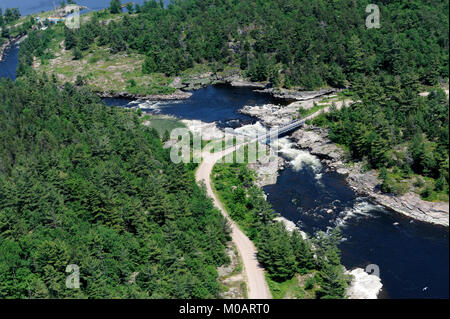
(413, 257)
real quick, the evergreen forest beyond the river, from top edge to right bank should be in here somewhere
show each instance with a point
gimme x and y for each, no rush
(308, 44)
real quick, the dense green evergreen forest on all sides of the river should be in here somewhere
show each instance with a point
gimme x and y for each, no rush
(84, 184)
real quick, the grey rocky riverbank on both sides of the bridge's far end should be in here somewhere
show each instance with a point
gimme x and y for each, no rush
(364, 183)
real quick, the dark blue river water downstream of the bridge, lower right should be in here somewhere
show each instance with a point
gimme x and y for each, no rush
(413, 257)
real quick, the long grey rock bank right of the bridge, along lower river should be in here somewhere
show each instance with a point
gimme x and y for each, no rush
(366, 183)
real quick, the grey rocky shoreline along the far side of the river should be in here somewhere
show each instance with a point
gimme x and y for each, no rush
(365, 184)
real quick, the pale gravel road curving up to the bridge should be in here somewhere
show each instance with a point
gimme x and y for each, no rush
(257, 287)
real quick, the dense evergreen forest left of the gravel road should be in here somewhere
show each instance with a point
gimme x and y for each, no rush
(86, 184)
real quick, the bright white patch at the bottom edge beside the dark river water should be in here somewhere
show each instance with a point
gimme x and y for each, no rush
(363, 285)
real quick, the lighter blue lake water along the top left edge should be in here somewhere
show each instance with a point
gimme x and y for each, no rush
(34, 6)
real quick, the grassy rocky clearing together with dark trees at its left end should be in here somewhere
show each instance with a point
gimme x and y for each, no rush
(103, 72)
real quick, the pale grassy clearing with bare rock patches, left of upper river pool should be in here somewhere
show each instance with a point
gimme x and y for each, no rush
(103, 71)
